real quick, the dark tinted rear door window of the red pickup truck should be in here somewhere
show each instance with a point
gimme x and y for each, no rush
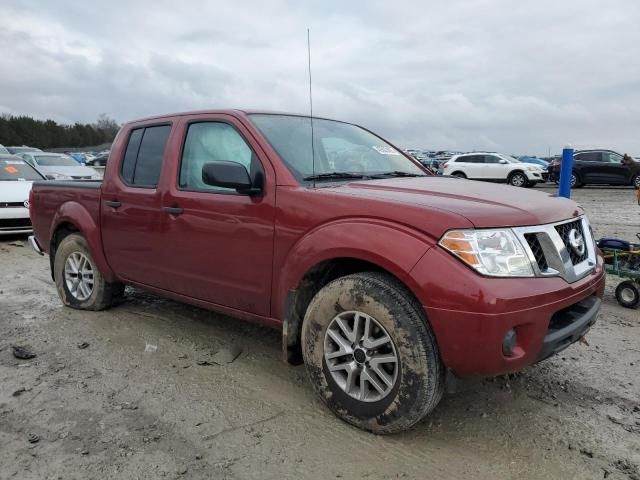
(143, 157)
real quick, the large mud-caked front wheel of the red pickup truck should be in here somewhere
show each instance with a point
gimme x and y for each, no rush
(352, 329)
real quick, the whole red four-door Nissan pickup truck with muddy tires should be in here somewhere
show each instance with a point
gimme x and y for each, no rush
(385, 280)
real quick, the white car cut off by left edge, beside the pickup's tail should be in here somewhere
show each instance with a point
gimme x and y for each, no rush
(16, 177)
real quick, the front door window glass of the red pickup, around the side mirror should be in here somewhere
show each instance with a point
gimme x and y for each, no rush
(209, 142)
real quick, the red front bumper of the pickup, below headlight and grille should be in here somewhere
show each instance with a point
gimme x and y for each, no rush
(470, 314)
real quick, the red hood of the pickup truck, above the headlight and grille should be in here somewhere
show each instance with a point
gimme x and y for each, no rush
(483, 204)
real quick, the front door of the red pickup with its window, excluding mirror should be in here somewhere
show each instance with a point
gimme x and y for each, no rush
(218, 242)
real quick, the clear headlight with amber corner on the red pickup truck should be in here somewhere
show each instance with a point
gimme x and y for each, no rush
(496, 253)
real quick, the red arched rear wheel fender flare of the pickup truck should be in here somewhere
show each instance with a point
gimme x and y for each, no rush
(77, 215)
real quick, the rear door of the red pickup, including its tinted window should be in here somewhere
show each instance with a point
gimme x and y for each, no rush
(132, 219)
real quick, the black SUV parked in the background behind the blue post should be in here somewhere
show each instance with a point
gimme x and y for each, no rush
(599, 167)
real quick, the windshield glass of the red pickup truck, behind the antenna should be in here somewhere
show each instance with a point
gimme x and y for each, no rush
(339, 148)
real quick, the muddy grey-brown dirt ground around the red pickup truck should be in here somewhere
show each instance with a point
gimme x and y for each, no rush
(136, 403)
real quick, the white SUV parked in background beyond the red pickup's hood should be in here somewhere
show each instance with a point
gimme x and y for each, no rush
(494, 167)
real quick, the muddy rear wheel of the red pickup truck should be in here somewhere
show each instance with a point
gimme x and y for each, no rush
(79, 283)
